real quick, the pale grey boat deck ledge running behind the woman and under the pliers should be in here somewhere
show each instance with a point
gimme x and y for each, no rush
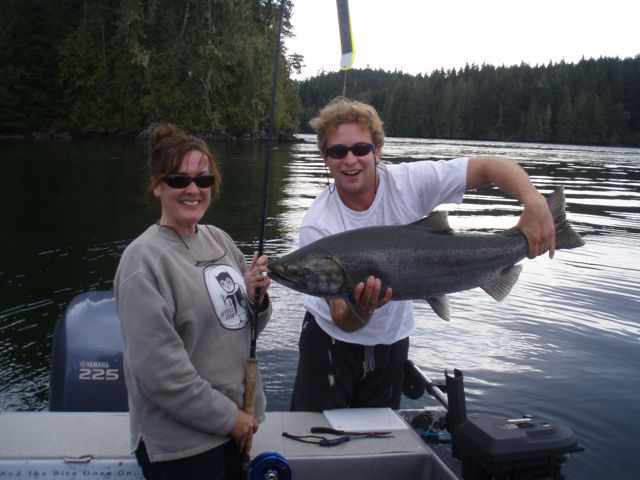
(63, 444)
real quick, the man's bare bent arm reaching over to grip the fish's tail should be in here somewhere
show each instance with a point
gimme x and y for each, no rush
(535, 222)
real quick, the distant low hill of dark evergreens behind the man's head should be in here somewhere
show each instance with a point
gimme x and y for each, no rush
(591, 102)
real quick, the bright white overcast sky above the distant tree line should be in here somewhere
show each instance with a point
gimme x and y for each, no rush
(419, 36)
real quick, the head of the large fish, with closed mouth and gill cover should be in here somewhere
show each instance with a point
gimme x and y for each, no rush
(311, 273)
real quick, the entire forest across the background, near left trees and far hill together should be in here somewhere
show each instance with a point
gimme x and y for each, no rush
(79, 67)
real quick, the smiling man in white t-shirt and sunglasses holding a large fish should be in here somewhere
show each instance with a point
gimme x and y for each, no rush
(343, 363)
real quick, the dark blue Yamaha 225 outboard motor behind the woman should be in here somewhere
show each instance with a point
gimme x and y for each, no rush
(86, 372)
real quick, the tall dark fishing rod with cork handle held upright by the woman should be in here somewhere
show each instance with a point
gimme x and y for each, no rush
(251, 373)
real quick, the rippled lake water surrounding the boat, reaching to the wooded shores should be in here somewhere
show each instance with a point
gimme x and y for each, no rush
(565, 344)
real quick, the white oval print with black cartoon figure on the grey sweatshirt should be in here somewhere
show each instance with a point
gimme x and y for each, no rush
(226, 290)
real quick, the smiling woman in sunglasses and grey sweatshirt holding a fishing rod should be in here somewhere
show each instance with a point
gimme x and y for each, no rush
(185, 295)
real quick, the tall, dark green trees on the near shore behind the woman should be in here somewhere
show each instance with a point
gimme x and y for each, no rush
(111, 67)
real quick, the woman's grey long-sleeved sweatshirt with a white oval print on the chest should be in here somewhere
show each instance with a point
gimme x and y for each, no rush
(185, 322)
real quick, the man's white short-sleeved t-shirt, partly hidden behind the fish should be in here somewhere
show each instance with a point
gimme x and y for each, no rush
(406, 193)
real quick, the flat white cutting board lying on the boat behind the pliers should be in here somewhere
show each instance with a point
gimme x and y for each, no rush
(364, 419)
